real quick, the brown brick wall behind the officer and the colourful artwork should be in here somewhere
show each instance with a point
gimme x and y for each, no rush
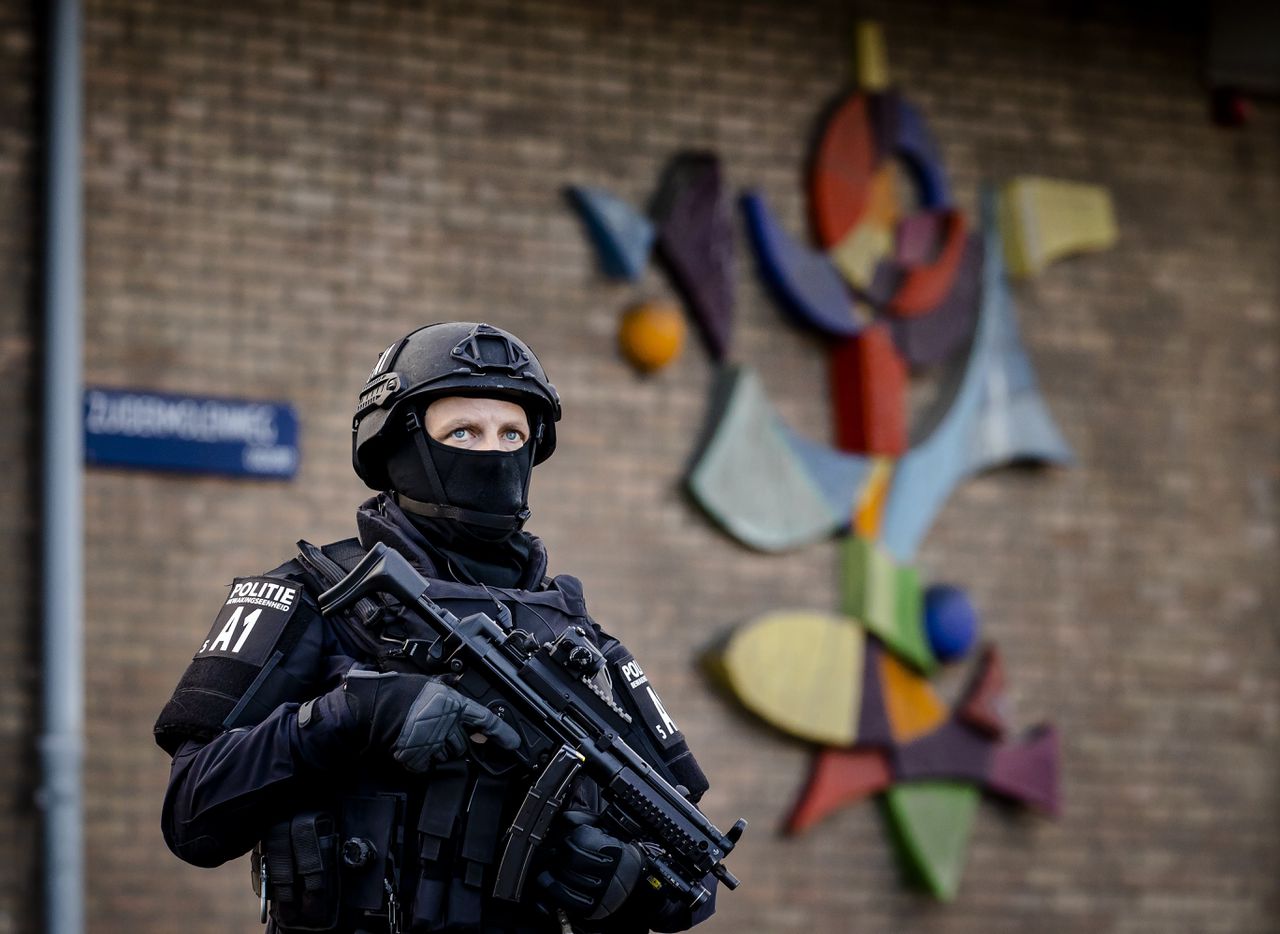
(275, 193)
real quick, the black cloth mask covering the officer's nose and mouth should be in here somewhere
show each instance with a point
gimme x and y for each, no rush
(487, 491)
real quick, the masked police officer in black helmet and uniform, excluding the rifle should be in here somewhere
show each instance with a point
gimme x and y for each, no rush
(360, 785)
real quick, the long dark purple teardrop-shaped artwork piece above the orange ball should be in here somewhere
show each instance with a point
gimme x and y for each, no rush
(696, 242)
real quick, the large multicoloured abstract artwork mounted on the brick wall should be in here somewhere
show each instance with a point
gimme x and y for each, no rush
(893, 290)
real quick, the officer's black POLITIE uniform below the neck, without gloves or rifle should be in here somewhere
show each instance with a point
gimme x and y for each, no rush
(419, 846)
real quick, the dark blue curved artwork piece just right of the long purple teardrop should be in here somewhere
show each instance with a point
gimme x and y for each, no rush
(803, 280)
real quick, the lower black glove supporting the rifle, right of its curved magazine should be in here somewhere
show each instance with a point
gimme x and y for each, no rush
(589, 873)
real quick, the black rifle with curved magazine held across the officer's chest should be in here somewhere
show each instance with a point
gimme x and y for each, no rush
(569, 724)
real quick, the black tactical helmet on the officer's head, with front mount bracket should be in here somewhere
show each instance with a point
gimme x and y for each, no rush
(451, 359)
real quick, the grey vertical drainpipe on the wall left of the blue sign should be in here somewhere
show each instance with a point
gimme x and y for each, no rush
(62, 587)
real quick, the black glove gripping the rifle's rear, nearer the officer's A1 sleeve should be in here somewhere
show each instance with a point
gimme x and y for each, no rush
(418, 720)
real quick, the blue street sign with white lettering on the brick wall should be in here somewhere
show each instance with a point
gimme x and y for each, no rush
(127, 428)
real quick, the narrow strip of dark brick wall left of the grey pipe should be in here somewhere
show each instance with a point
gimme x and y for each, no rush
(19, 441)
